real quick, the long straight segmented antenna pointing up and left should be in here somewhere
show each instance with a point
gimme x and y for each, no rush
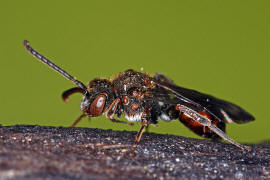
(52, 65)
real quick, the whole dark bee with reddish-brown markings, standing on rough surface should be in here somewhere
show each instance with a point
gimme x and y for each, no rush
(145, 99)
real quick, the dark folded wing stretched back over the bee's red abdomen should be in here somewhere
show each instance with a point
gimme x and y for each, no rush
(221, 109)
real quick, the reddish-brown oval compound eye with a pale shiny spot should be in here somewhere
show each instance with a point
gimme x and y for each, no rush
(97, 105)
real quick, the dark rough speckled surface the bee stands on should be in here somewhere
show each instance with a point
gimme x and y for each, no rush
(35, 152)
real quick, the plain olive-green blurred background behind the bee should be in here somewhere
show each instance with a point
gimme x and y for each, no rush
(218, 47)
